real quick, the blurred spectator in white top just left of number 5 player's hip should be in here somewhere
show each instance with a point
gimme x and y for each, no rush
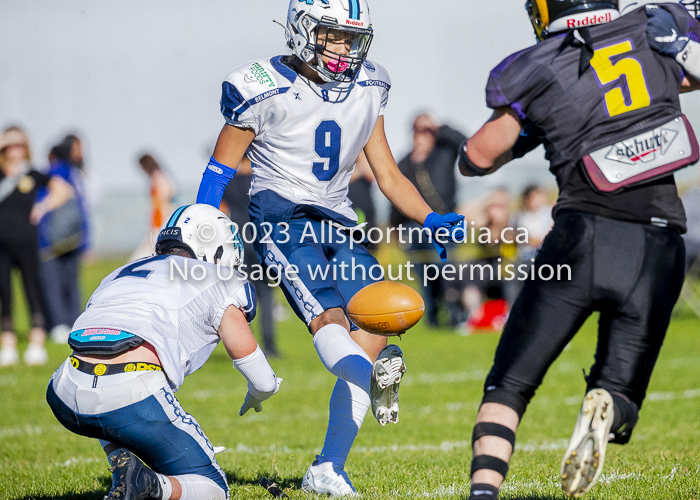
(536, 217)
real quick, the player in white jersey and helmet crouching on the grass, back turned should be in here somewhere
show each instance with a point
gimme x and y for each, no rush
(147, 326)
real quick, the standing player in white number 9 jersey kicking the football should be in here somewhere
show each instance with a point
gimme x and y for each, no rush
(303, 120)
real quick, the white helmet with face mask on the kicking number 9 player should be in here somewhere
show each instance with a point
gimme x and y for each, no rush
(310, 23)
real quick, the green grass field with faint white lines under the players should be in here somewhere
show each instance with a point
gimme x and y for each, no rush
(426, 455)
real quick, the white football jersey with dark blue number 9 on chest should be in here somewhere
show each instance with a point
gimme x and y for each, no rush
(308, 136)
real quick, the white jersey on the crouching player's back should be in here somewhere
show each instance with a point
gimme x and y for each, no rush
(174, 303)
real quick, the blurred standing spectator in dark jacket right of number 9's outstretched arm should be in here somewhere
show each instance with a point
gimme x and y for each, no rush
(430, 166)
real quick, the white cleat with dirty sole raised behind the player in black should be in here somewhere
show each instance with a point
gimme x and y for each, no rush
(583, 461)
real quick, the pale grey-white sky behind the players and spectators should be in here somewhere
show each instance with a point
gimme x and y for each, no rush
(145, 75)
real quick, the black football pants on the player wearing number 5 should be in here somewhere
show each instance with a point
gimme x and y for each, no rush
(631, 273)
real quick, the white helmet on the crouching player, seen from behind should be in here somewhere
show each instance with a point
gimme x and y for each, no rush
(206, 232)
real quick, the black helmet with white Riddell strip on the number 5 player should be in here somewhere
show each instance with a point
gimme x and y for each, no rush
(550, 16)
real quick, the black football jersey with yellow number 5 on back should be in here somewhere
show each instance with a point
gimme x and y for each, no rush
(587, 90)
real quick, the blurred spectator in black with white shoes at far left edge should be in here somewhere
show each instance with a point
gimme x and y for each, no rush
(18, 245)
